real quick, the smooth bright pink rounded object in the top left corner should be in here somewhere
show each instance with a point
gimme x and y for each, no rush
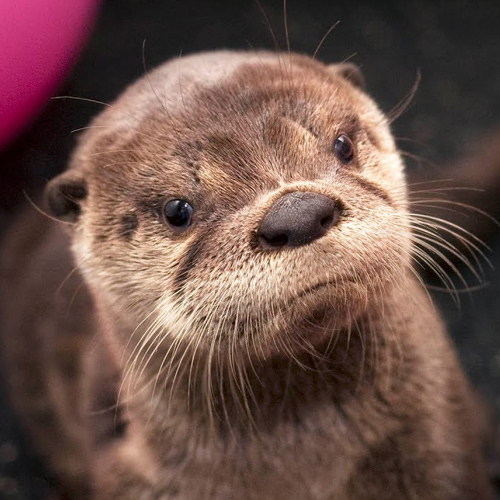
(39, 42)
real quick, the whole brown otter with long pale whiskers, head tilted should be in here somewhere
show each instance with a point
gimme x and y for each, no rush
(229, 306)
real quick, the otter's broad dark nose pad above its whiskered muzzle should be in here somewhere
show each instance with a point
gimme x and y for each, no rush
(297, 219)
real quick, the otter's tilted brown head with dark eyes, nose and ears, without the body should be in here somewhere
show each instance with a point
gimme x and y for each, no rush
(239, 199)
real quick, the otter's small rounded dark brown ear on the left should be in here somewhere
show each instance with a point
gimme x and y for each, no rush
(64, 194)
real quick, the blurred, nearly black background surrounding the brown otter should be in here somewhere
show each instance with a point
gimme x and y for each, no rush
(454, 44)
